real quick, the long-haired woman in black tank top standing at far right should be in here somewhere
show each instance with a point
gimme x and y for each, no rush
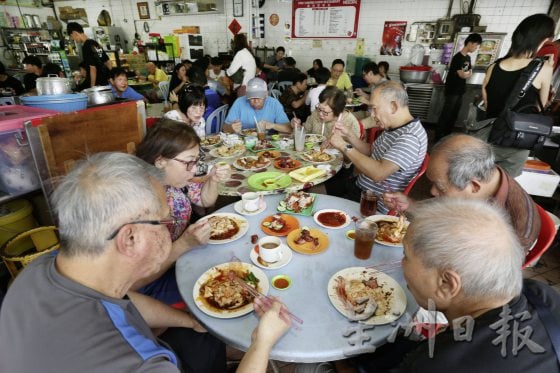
(501, 78)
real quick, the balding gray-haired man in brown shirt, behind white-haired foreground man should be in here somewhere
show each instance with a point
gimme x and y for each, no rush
(462, 166)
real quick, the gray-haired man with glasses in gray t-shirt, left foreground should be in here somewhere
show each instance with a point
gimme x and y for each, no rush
(73, 312)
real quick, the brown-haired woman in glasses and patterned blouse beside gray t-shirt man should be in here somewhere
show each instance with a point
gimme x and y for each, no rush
(174, 148)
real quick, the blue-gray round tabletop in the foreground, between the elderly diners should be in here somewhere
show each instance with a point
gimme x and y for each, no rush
(325, 334)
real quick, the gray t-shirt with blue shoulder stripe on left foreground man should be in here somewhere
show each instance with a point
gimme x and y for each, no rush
(49, 323)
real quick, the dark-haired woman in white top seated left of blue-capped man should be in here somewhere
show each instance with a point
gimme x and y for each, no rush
(191, 107)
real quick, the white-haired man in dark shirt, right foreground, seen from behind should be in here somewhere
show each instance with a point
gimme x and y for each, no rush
(497, 317)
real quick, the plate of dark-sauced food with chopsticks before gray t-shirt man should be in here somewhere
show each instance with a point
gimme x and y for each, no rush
(216, 294)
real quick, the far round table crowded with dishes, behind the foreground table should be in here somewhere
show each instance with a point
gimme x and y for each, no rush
(238, 182)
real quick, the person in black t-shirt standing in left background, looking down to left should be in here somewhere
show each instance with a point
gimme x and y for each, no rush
(97, 62)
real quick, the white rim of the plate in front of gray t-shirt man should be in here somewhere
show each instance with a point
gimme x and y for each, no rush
(225, 314)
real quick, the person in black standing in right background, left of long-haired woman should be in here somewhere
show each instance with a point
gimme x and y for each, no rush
(460, 70)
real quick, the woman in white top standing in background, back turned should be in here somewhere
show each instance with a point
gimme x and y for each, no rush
(243, 67)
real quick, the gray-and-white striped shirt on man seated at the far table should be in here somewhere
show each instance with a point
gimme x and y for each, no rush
(406, 147)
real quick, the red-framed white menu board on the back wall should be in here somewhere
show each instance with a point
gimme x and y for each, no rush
(325, 18)
